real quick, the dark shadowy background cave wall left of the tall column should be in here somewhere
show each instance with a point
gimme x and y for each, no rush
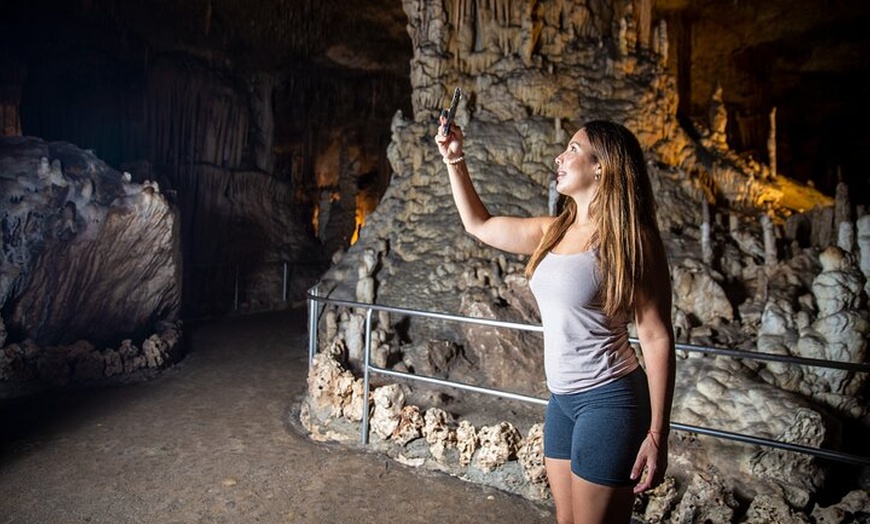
(215, 112)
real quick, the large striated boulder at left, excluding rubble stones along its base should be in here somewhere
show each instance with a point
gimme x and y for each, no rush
(86, 252)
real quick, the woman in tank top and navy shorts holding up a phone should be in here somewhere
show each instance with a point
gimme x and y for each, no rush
(592, 268)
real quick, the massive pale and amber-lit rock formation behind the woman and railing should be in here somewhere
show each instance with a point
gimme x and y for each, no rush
(526, 78)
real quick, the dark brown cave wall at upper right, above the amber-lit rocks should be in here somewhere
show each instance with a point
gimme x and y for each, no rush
(801, 59)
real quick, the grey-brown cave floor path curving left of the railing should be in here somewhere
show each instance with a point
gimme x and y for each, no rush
(212, 441)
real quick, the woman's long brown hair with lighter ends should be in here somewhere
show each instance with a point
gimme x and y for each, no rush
(622, 211)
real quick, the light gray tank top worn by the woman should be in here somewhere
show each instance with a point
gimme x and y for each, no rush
(583, 348)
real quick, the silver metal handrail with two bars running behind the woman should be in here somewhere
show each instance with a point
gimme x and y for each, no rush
(368, 368)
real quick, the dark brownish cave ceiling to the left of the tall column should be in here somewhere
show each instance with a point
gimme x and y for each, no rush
(264, 35)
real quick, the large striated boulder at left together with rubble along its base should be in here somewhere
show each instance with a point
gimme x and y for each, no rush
(90, 263)
